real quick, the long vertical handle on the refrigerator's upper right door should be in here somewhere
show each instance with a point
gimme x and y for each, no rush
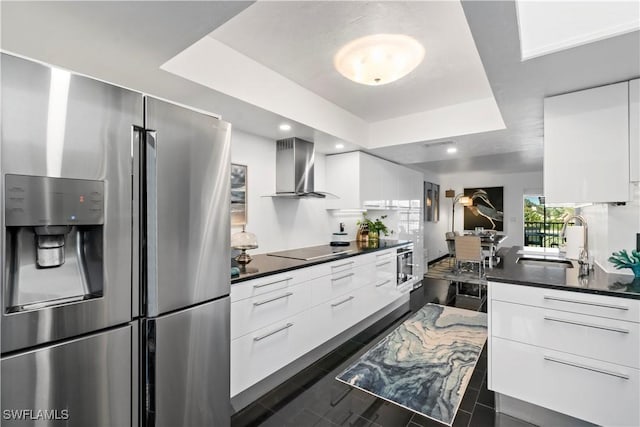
(152, 223)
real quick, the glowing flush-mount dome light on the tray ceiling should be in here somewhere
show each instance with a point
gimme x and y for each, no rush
(379, 59)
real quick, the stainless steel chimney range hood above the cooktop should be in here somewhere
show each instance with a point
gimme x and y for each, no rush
(294, 169)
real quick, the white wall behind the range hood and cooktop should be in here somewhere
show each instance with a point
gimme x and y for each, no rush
(279, 224)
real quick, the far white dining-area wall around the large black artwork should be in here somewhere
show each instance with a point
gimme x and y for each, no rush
(515, 187)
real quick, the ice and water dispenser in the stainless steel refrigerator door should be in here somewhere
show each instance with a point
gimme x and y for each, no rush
(54, 235)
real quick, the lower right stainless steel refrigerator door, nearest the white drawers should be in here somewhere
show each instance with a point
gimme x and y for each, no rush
(187, 367)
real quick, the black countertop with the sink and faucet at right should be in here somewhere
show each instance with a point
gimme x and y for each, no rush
(597, 282)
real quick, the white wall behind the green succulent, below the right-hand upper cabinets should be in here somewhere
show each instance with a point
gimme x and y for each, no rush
(612, 228)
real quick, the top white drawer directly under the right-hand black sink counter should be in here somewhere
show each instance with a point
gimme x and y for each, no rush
(576, 302)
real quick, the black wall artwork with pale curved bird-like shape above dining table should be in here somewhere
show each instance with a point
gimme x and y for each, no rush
(486, 210)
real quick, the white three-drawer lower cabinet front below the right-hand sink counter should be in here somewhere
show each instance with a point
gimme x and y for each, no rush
(577, 354)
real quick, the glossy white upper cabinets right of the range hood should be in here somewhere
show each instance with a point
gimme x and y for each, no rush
(362, 181)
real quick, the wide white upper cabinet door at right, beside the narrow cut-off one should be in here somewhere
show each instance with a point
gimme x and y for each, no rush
(586, 145)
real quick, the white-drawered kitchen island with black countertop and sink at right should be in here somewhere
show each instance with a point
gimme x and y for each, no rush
(563, 344)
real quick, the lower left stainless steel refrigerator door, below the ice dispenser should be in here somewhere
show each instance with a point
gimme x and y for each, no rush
(83, 382)
